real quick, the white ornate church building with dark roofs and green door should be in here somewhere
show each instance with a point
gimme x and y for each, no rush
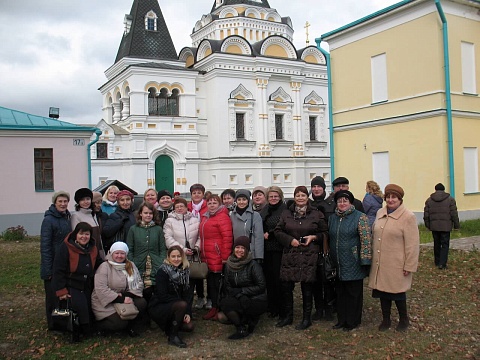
(238, 108)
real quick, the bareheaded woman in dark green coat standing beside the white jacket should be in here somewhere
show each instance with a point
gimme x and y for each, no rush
(147, 246)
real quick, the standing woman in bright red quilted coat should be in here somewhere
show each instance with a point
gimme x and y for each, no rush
(216, 240)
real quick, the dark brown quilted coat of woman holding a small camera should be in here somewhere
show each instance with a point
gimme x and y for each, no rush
(299, 264)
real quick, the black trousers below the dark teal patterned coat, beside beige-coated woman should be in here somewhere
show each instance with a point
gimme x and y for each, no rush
(349, 302)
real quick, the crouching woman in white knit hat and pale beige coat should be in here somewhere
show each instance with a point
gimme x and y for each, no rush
(117, 280)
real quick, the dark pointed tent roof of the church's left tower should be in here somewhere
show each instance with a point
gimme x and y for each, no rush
(147, 44)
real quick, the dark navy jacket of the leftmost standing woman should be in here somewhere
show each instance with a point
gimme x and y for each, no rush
(55, 226)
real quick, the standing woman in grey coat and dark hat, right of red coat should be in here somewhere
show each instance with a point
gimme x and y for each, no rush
(247, 222)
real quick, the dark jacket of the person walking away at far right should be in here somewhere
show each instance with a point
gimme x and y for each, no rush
(440, 212)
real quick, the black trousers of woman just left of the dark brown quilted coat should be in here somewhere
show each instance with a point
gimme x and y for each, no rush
(271, 267)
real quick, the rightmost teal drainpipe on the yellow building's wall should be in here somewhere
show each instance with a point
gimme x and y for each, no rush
(448, 96)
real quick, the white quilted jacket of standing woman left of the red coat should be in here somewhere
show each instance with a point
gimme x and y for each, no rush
(180, 229)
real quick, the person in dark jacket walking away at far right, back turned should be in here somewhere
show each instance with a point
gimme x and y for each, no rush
(440, 215)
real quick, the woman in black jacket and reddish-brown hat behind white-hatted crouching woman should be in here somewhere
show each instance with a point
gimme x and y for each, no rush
(119, 223)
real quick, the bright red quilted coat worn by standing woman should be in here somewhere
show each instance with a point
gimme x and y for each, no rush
(216, 238)
